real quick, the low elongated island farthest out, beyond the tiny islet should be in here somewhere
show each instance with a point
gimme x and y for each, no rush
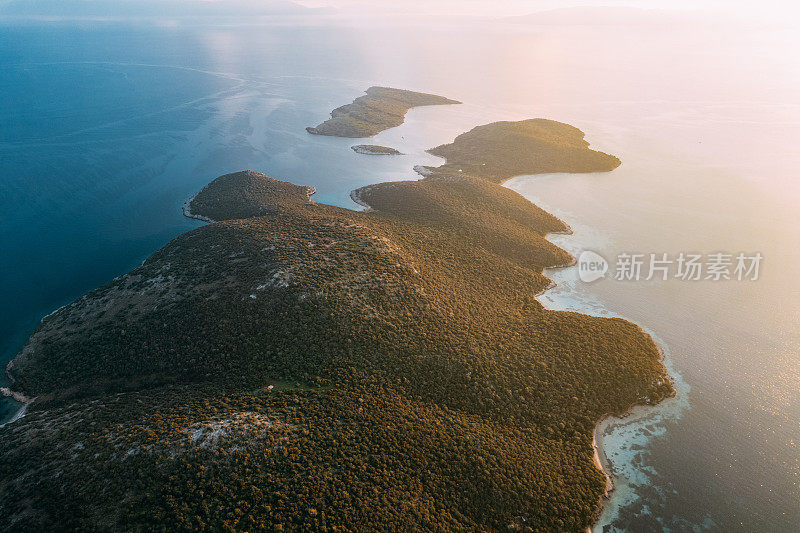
(382, 108)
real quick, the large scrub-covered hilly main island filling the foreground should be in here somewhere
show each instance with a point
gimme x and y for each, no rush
(314, 368)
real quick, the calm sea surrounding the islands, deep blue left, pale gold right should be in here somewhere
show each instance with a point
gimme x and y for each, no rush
(107, 128)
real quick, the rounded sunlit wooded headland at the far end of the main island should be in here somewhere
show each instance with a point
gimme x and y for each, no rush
(502, 150)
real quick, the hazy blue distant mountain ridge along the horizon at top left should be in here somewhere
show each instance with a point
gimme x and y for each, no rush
(76, 9)
